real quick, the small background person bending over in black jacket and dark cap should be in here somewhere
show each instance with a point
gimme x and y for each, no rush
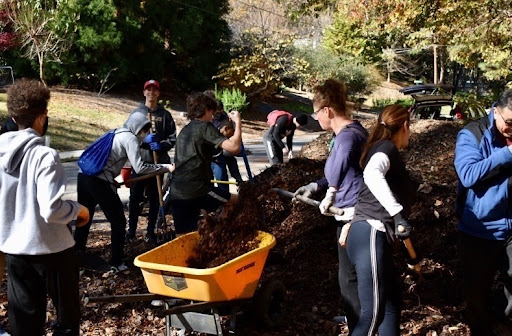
(283, 127)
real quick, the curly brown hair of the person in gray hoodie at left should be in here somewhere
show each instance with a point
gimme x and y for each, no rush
(26, 100)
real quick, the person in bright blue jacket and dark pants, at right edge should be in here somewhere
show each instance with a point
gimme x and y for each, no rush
(483, 162)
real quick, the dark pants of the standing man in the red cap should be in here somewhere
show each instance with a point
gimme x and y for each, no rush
(136, 197)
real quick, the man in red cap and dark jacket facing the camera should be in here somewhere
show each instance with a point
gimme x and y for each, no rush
(160, 141)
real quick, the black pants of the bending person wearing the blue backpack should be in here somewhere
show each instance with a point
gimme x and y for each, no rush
(91, 192)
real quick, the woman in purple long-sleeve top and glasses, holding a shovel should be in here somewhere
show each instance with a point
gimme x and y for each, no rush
(343, 177)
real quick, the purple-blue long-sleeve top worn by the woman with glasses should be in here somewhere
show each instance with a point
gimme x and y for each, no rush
(342, 168)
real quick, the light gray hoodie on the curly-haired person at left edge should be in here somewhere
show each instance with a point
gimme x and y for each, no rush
(33, 216)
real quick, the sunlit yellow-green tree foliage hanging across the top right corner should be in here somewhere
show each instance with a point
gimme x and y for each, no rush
(471, 32)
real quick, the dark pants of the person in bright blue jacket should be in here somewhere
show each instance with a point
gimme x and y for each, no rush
(480, 260)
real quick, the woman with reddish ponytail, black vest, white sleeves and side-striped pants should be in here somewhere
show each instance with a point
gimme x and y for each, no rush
(385, 194)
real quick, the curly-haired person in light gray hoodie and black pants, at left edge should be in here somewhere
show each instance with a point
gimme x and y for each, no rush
(34, 233)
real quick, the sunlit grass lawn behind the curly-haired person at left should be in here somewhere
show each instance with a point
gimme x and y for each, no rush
(77, 120)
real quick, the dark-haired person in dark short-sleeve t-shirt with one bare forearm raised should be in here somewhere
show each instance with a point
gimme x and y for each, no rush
(191, 187)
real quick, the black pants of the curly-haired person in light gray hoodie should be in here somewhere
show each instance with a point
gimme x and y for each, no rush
(30, 279)
